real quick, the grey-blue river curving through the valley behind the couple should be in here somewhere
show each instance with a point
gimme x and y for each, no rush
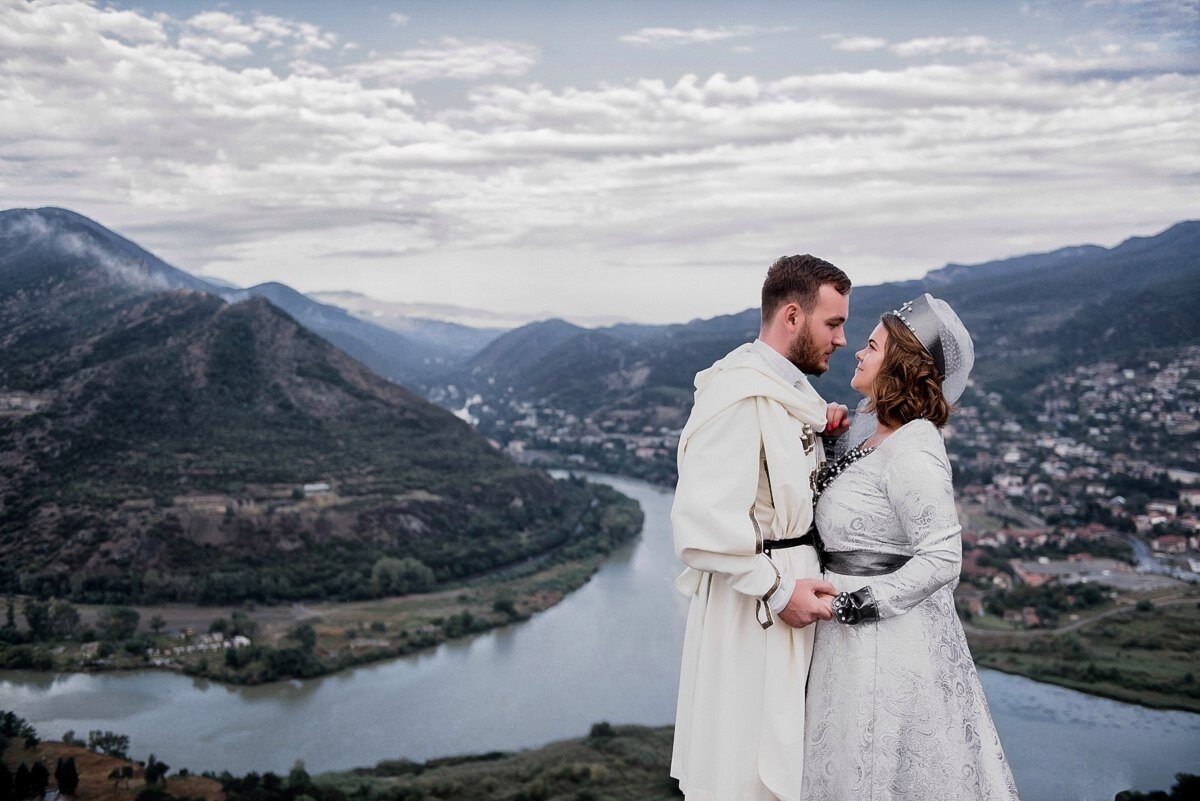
(609, 653)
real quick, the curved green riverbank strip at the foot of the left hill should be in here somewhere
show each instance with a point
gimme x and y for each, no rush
(255, 645)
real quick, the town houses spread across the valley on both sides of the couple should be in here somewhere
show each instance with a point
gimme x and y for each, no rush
(1096, 459)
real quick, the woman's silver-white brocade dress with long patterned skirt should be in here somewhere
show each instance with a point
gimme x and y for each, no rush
(895, 706)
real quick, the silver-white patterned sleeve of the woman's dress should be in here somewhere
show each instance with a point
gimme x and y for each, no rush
(917, 484)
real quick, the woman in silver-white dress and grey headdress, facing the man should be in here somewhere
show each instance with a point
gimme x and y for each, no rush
(895, 704)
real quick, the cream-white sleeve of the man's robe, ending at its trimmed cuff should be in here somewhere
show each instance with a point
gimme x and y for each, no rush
(716, 529)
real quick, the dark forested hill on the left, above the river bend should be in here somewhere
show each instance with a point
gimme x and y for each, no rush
(167, 445)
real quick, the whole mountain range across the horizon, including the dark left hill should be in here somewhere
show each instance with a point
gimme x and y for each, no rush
(158, 431)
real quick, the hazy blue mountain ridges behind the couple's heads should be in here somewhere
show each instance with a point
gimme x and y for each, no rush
(1029, 316)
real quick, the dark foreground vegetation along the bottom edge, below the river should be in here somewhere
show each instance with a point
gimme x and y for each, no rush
(614, 763)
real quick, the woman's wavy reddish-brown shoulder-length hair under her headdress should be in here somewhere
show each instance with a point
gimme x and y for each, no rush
(909, 386)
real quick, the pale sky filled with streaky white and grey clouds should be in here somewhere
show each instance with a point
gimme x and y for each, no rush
(599, 161)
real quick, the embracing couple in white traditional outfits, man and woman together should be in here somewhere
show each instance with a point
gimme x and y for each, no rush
(824, 660)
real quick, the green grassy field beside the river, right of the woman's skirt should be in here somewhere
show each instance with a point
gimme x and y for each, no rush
(1143, 658)
